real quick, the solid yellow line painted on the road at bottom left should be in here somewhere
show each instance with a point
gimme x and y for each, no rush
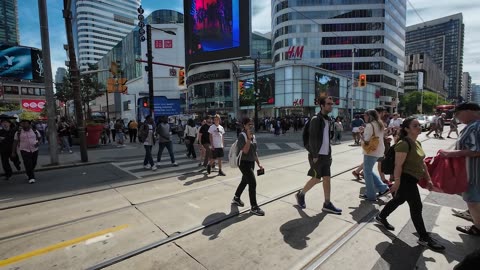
(53, 247)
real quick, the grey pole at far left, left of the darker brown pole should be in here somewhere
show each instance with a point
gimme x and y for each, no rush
(47, 67)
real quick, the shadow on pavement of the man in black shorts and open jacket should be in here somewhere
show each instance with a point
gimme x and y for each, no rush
(295, 232)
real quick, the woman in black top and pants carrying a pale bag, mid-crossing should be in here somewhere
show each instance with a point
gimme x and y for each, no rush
(248, 144)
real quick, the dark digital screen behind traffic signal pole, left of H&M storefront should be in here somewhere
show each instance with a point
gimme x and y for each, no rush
(266, 87)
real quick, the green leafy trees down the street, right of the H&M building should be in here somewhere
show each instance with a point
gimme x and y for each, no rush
(411, 100)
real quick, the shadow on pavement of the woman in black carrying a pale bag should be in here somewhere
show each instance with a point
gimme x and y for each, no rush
(219, 221)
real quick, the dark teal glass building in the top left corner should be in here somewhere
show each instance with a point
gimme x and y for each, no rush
(9, 22)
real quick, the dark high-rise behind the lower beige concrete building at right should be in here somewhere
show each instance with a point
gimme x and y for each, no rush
(443, 40)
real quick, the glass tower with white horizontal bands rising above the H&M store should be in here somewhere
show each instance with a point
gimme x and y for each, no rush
(332, 31)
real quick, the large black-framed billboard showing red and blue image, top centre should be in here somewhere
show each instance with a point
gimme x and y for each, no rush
(216, 30)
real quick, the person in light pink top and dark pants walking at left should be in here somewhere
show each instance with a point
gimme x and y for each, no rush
(27, 140)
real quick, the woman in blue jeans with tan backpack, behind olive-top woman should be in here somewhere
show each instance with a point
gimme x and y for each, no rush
(373, 135)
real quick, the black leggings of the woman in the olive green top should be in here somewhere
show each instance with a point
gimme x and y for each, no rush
(408, 192)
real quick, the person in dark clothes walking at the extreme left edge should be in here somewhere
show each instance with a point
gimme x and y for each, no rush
(7, 136)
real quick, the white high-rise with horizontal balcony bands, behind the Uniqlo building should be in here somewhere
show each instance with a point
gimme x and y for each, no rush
(100, 25)
